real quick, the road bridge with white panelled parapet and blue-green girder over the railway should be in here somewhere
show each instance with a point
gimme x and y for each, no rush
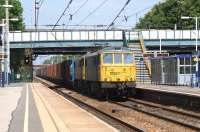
(72, 41)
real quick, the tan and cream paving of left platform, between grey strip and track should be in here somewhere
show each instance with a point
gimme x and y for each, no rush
(64, 115)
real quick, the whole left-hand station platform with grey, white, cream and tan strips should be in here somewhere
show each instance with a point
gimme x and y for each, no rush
(32, 107)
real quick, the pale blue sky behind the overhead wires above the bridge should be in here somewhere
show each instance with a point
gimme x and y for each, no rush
(52, 9)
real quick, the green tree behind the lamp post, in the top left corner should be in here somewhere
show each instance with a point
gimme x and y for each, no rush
(15, 12)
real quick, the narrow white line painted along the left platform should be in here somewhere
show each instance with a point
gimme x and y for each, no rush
(26, 110)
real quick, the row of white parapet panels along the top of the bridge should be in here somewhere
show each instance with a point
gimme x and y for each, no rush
(60, 35)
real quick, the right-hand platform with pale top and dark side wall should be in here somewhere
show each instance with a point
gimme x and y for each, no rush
(184, 97)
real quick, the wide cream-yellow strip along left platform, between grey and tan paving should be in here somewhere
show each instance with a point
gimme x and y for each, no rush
(50, 120)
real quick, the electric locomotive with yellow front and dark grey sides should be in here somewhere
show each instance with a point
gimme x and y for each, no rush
(108, 72)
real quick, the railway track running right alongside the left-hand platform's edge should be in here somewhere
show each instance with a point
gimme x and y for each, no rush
(115, 122)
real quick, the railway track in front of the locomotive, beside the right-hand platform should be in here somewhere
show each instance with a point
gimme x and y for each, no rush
(182, 118)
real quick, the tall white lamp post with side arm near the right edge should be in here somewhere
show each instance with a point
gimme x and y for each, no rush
(196, 42)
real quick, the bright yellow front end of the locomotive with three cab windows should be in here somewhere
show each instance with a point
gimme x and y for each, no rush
(118, 70)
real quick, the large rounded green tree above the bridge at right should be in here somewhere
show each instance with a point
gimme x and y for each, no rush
(168, 13)
